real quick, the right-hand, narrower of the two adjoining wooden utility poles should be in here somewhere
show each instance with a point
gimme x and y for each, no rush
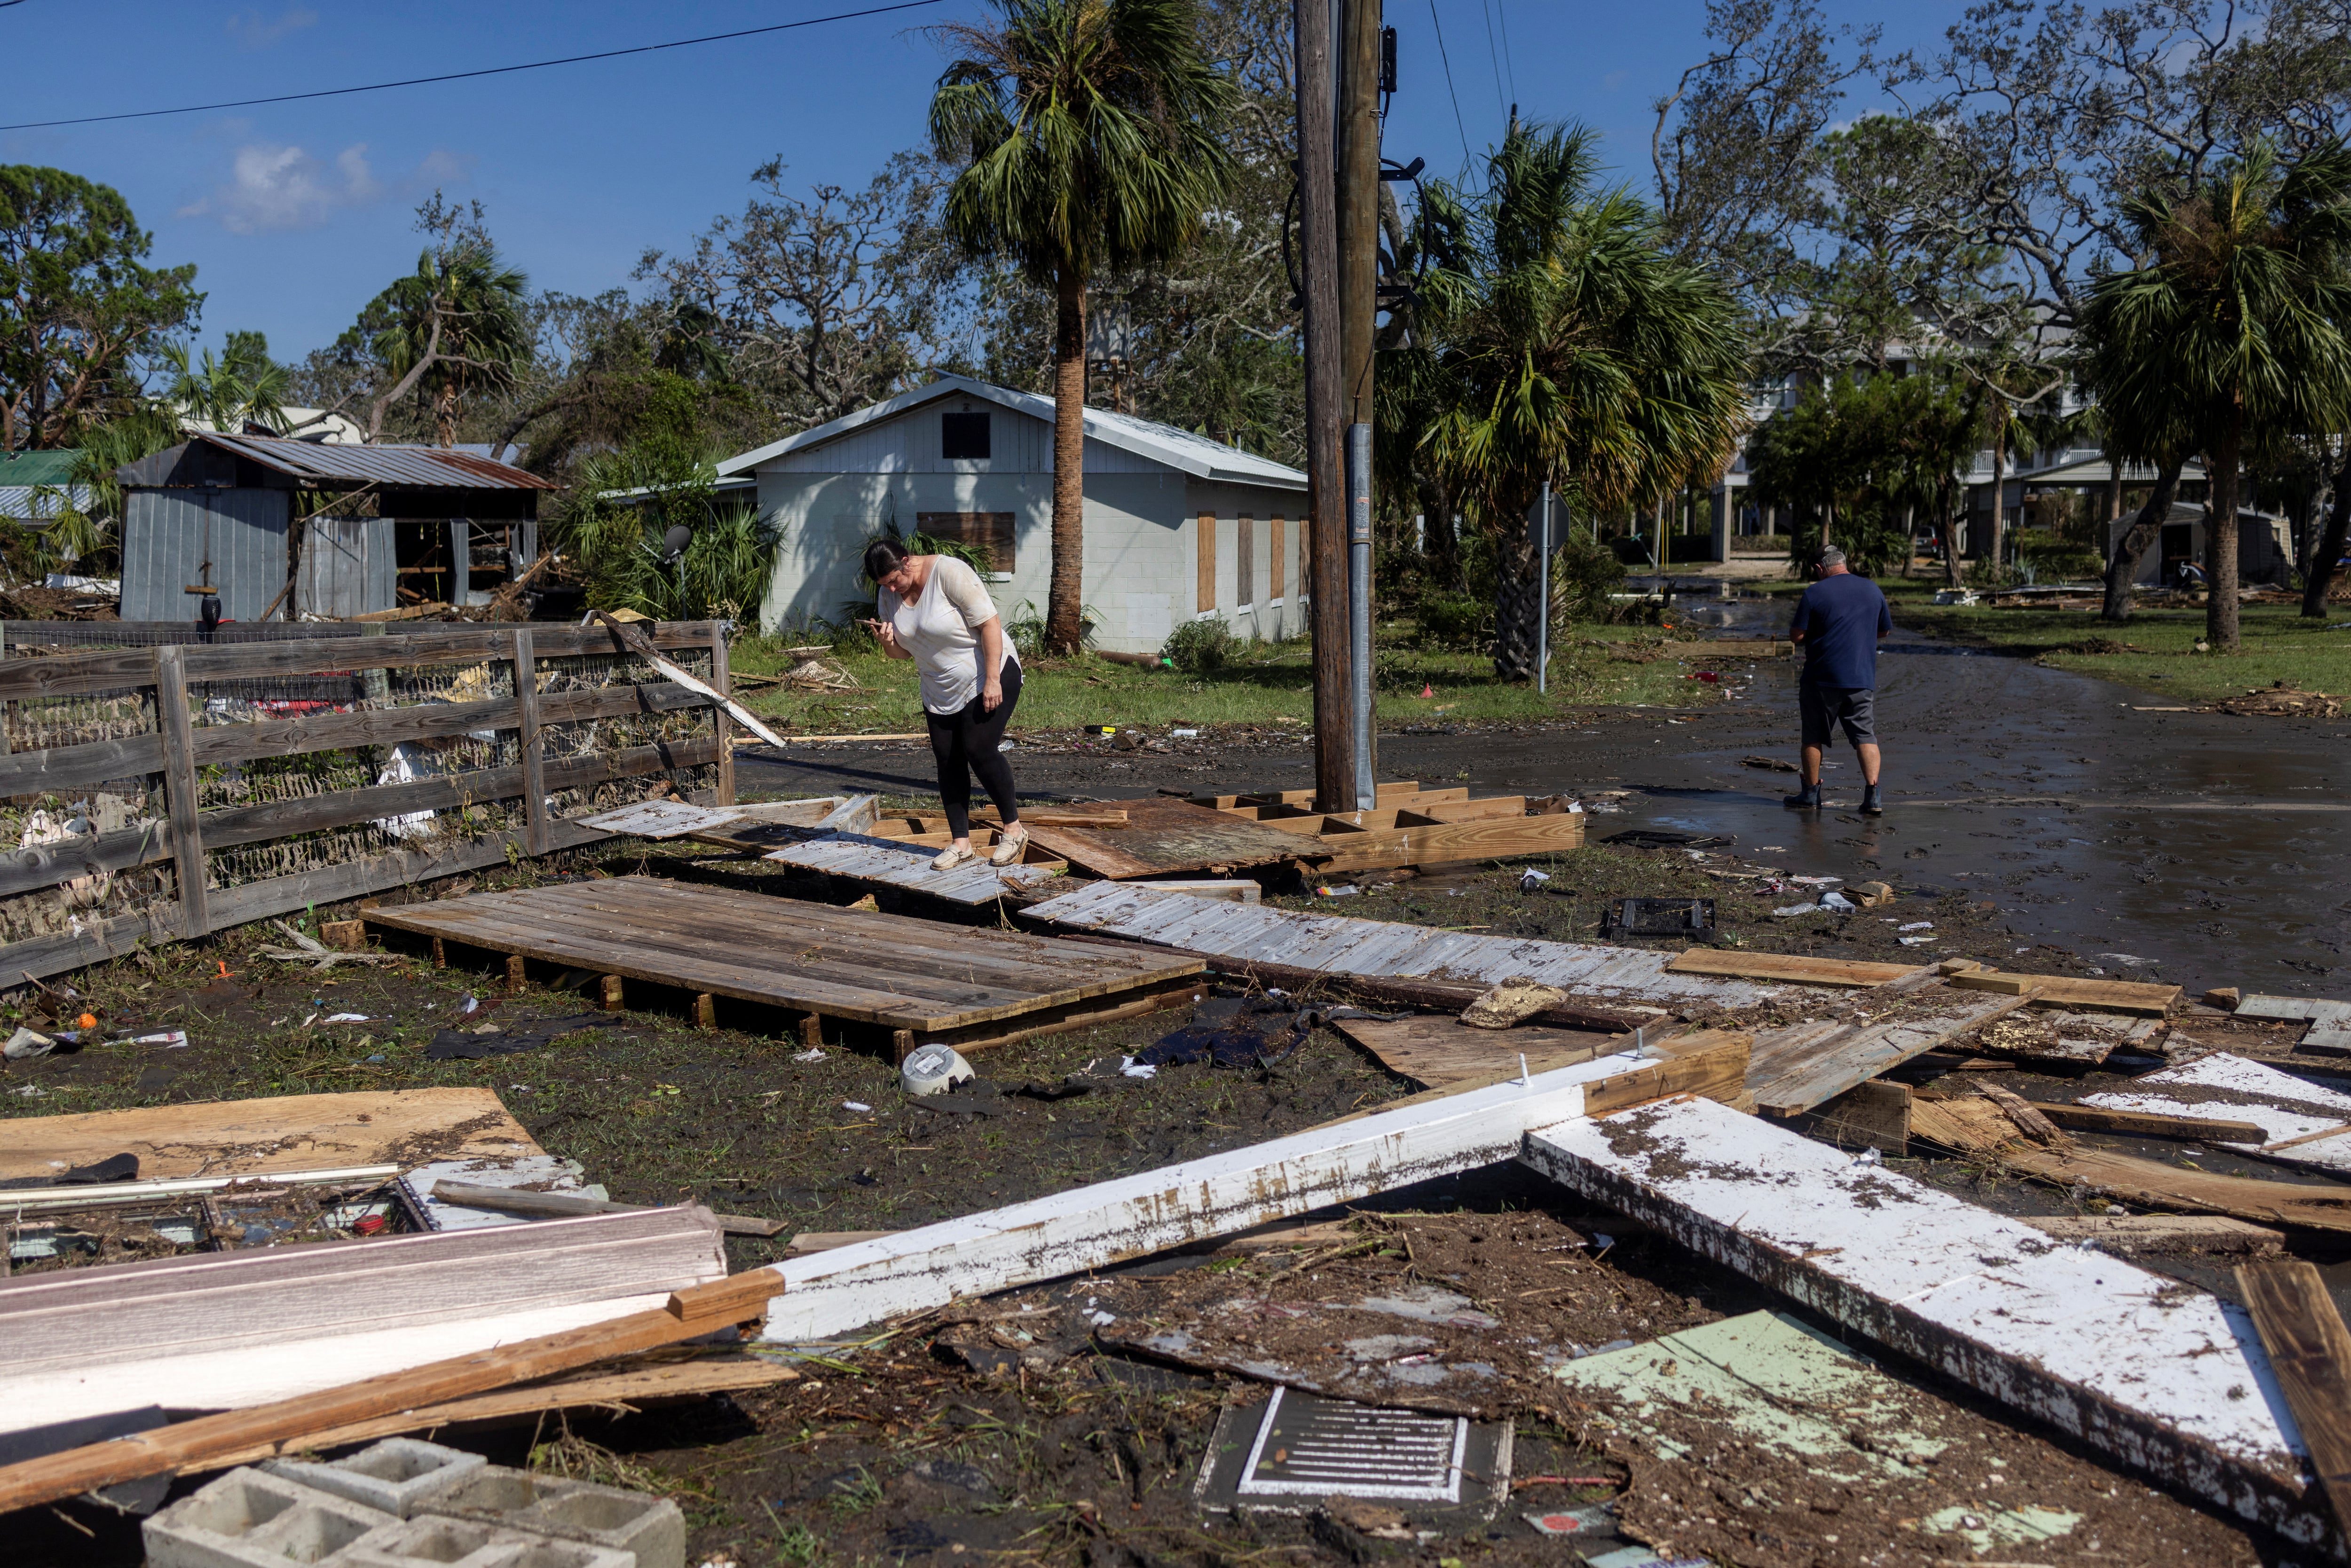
(1358, 307)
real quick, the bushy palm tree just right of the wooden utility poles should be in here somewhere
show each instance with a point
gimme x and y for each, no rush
(1560, 342)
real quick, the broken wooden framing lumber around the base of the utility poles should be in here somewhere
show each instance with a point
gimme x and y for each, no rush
(1409, 826)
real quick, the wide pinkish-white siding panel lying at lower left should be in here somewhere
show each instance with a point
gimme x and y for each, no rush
(260, 1325)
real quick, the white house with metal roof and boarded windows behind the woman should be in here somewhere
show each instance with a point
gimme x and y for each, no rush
(1177, 525)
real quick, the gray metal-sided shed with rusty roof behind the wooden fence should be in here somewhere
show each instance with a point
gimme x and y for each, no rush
(215, 514)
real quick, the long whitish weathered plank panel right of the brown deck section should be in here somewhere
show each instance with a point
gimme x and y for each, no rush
(1339, 944)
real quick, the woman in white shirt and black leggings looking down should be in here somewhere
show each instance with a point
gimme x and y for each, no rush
(937, 612)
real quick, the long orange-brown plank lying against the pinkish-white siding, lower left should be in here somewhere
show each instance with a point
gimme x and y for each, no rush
(194, 1445)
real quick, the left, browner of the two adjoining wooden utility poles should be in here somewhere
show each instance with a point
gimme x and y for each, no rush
(1327, 406)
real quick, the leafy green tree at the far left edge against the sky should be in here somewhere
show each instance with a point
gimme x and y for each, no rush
(79, 304)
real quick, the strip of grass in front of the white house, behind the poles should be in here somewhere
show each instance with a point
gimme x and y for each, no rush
(1266, 685)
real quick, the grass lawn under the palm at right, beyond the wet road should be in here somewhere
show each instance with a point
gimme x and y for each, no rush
(2155, 650)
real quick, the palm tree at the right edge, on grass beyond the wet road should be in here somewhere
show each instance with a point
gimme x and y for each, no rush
(2237, 321)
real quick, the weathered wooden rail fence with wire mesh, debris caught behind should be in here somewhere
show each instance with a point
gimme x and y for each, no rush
(161, 791)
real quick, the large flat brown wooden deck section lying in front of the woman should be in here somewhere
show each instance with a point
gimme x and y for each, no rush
(902, 981)
